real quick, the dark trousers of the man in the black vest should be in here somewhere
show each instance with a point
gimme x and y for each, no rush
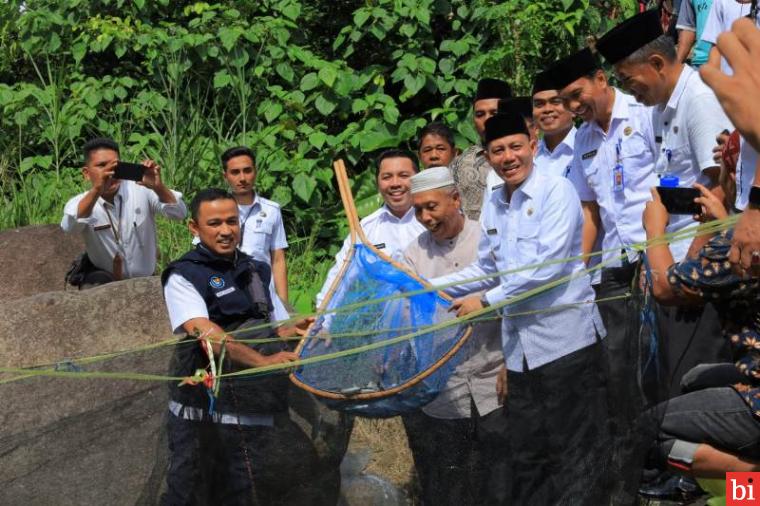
(212, 463)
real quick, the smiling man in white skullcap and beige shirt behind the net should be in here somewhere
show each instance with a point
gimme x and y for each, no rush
(458, 441)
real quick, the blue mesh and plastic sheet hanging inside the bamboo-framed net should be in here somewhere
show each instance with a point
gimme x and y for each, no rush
(369, 278)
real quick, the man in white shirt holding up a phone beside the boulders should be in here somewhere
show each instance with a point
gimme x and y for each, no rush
(117, 217)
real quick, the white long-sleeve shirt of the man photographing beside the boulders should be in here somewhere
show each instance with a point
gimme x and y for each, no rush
(126, 227)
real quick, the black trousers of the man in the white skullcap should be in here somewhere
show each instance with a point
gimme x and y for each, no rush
(462, 461)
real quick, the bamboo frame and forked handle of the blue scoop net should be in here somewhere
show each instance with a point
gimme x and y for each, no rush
(357, 235)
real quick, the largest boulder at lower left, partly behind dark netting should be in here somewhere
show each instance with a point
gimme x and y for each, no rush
(84, 441)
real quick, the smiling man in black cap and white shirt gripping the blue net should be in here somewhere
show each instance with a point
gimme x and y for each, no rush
(556, 400)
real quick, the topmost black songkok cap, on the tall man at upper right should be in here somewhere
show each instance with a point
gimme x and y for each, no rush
(629, 36)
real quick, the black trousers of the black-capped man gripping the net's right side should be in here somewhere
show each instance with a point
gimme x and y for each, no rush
(559, 431)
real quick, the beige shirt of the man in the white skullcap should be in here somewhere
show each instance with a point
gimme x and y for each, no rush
(475, 378)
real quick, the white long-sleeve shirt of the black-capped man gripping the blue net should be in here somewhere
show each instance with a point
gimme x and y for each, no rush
(542, 222)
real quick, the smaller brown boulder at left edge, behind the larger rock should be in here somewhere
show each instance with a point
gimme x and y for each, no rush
(35, 259)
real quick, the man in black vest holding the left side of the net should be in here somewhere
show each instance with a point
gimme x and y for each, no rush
(230, 438)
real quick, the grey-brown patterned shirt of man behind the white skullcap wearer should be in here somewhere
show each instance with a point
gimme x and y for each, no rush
(470, 170)
